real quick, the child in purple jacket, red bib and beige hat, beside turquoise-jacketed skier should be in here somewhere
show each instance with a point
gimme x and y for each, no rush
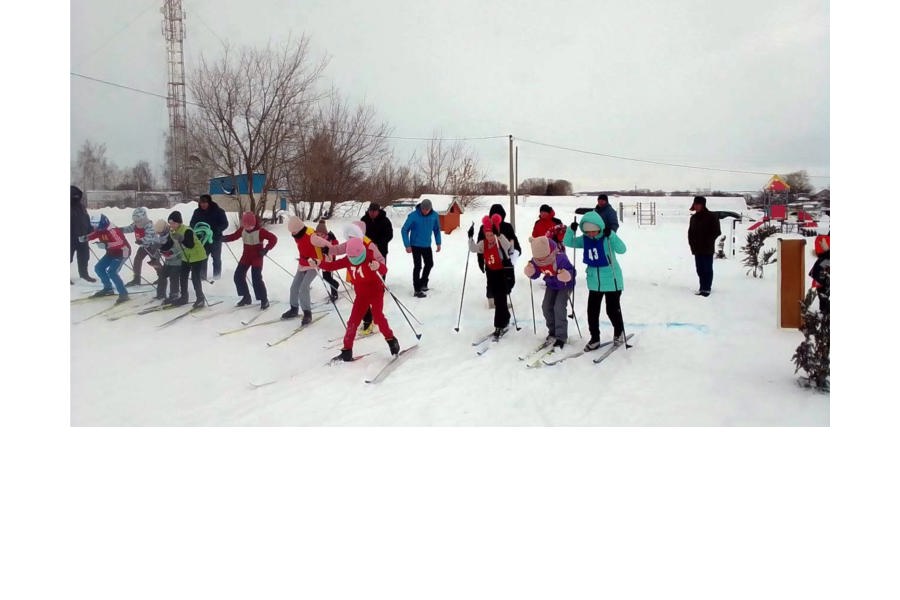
(559, 275)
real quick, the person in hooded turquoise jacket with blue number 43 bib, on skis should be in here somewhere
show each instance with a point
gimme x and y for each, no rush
(604, 275)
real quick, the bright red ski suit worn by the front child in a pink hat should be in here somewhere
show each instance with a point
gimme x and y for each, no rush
(369, 293)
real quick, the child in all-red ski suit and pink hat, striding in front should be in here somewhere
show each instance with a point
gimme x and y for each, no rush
(363, 270)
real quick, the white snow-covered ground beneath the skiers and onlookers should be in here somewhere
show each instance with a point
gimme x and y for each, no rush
(717, 361)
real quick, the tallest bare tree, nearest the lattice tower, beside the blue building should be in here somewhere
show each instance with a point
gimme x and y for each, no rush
(253, 103)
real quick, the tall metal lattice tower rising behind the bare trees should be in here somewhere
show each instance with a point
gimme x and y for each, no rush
(173, 31)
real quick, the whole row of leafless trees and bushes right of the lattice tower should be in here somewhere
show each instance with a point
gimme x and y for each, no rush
(259, 110)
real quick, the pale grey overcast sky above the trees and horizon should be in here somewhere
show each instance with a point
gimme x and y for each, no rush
(724, 85)
